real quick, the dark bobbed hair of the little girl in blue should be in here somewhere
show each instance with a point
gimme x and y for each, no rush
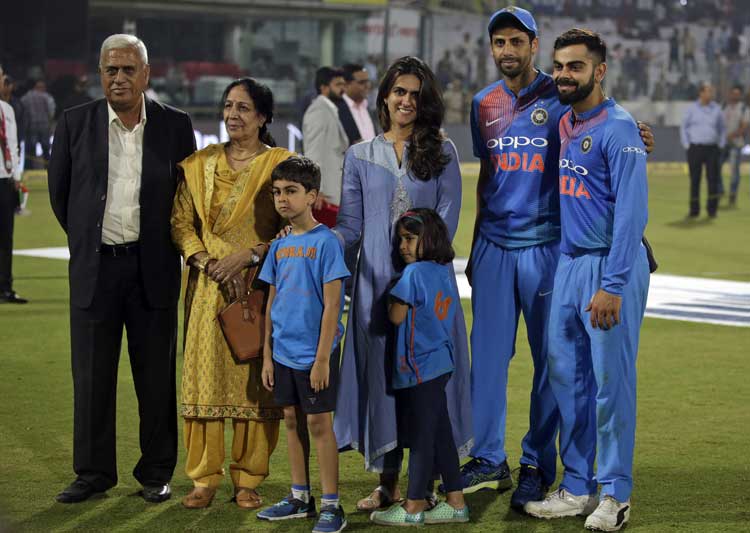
(434, 242)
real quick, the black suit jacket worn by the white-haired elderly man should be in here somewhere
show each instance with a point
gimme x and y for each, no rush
(78, 174)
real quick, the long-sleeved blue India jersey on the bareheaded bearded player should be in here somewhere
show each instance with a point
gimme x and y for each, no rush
(603, 189)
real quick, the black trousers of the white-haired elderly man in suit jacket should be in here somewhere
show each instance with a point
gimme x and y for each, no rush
(96, 338)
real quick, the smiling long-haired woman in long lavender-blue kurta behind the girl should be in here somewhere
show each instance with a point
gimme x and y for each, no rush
(410, 165)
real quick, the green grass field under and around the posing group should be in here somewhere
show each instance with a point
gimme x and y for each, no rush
(693, 421)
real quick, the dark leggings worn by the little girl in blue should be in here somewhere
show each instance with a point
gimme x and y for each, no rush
(430, 437)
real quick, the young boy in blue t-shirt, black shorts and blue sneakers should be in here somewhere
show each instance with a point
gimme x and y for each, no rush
(303, 329)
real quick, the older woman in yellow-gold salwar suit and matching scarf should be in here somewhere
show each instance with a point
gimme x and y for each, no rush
(223, 212)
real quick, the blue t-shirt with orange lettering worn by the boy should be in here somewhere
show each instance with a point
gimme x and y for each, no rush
(298, 266)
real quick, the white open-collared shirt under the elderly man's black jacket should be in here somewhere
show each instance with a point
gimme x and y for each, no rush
(122, 213)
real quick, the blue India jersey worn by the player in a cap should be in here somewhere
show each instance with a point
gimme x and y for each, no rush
(519, 138)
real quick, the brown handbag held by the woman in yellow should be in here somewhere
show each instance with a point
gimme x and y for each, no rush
(243, 320)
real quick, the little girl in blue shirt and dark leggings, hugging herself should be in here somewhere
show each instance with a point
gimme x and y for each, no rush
(423, 303)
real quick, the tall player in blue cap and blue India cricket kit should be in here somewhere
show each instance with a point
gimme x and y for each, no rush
(515, 249)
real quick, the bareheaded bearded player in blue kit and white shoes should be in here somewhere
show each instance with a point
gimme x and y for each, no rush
(601, 285)
